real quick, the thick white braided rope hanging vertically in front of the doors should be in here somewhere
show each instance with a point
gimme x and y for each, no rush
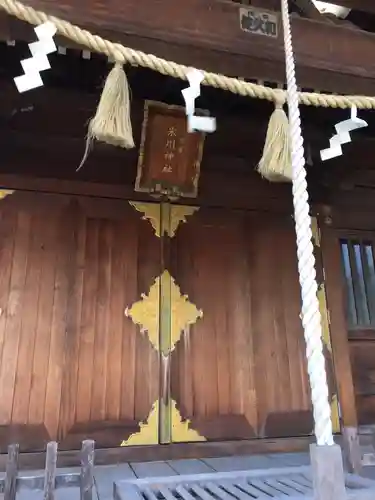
(311, 319)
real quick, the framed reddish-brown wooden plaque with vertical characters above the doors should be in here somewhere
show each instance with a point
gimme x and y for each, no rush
(169, 157)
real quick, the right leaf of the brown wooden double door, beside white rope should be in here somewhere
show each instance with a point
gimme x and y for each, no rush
(238, 367)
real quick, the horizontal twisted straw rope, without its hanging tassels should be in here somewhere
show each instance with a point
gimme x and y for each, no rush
(124, 55)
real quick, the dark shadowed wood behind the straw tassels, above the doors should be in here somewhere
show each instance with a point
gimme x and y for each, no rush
(42, 131)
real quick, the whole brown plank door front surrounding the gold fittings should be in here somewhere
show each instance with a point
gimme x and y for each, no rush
(74, 366)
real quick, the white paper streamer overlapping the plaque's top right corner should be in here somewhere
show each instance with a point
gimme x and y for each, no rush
(195, 123)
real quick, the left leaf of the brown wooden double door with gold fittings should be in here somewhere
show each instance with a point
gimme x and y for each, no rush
(111, 367)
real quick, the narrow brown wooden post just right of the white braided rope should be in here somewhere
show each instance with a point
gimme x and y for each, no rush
(335, 301)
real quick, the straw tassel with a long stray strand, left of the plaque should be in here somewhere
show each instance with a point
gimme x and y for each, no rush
(112, 123)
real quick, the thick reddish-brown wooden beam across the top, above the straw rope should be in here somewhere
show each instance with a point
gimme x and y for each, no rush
(213, 27)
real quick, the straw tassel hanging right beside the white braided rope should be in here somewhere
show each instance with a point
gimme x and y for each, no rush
(276, 164)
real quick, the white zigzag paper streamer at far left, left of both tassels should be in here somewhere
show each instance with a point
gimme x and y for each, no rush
(39, 60)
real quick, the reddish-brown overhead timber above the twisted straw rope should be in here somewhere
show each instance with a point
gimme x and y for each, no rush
(207, 34)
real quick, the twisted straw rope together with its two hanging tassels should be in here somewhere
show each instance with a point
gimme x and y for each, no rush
(112, 123)
